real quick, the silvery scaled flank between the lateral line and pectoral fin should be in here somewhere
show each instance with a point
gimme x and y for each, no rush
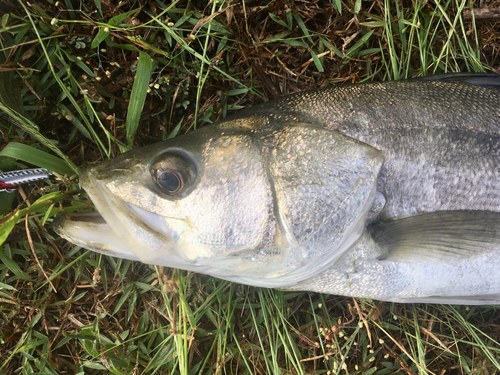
(442, 169)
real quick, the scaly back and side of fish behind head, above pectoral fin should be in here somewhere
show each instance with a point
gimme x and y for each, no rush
(438, 138)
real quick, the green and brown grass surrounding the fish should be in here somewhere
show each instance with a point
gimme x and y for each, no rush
(76, 74)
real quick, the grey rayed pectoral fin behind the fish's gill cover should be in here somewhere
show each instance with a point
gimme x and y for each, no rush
(439, 236)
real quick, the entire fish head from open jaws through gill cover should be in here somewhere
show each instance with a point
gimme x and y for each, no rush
(232, 202)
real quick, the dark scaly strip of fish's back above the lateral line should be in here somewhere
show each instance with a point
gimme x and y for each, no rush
(397, 104)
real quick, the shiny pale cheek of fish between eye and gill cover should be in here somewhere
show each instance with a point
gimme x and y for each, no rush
(231, 209)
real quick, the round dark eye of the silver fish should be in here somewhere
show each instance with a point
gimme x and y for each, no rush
(173, 173)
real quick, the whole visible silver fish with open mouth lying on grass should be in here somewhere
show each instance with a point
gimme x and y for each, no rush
(388, 191)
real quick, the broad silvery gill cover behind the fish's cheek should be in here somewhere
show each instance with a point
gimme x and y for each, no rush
(323, 186)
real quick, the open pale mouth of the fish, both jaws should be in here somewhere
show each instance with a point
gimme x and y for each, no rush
(117, 228)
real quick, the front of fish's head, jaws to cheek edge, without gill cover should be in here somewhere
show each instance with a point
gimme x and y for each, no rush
(197, 202)
